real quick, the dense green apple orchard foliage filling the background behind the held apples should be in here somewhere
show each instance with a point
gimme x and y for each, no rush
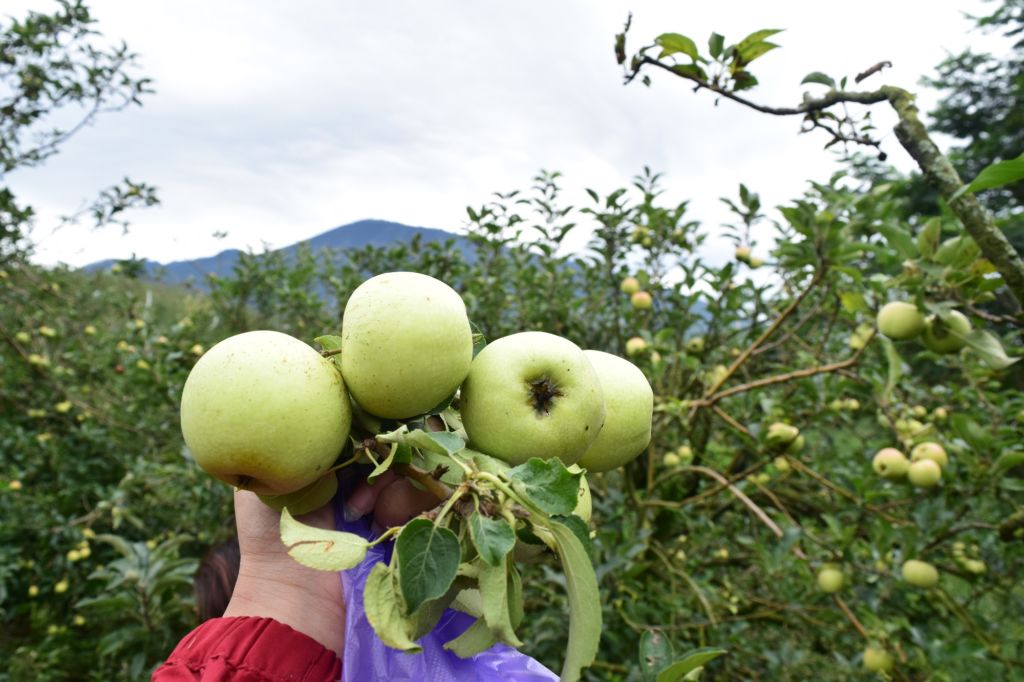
(713, 540)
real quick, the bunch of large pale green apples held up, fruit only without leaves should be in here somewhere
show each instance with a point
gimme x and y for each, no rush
(266, 412)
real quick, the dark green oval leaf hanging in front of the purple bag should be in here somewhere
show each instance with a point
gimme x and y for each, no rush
(429, 562)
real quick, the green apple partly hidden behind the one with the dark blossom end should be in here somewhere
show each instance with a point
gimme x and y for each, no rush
(630, 405)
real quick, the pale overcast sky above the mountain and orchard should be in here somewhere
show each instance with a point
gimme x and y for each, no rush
(277, 121)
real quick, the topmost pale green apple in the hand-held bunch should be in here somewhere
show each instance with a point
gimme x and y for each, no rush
(407, 345)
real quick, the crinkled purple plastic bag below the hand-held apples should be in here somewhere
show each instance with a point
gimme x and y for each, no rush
(367, 658)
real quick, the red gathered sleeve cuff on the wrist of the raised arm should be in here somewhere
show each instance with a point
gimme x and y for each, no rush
(248, 650)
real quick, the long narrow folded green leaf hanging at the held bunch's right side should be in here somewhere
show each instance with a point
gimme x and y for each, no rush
(585, 603)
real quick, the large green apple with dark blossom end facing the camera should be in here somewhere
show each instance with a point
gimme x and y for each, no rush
(533, 395)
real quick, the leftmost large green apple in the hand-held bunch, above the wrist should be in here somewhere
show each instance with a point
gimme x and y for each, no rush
(265, 412)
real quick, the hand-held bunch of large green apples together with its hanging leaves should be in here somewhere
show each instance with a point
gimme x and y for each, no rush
(491, 438)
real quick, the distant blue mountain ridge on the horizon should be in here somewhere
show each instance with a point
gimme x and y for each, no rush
(353, 236)
